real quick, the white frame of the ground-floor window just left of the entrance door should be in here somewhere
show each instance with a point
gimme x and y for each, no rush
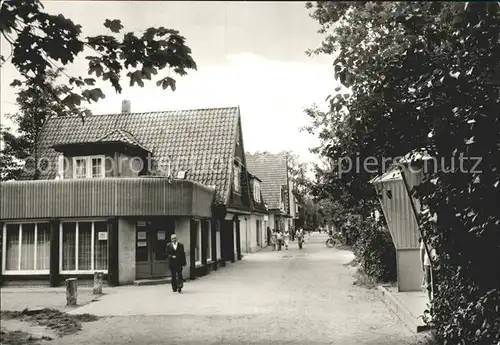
(92, 247)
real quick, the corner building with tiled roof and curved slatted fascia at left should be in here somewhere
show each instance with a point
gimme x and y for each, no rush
(111, 189)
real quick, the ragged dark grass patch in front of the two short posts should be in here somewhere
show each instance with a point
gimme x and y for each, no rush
(60, 322)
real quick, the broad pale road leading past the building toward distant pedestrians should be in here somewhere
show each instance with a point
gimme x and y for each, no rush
(286, 297)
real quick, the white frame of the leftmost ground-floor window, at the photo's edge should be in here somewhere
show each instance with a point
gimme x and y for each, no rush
(4, 249)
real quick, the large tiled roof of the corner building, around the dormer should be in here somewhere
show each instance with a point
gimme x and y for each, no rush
(200, 141)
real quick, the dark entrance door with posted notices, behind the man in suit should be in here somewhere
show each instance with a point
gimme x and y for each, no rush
(151, 246)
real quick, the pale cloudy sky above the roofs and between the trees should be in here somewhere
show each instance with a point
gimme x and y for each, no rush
(250, 54)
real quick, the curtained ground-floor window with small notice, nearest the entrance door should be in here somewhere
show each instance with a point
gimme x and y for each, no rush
(84, 246)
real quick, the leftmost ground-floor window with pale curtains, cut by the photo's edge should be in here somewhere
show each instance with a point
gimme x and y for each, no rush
(26, 248)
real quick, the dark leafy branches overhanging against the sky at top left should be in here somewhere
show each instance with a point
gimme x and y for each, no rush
(41, 42)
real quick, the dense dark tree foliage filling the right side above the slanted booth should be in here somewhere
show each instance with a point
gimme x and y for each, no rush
(423, 75)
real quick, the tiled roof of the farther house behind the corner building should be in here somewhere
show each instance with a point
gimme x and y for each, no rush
(272, 170)
